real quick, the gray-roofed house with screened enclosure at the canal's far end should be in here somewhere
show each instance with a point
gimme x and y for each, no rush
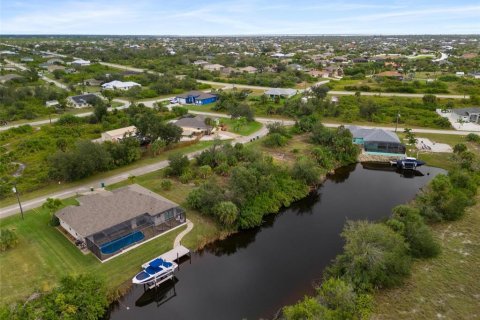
(377, 141)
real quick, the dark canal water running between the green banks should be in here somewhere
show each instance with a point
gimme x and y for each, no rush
(253, 273)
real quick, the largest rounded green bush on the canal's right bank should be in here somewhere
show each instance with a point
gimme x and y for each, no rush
(374, 256)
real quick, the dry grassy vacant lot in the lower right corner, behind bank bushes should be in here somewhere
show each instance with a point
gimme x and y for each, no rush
(446, 287)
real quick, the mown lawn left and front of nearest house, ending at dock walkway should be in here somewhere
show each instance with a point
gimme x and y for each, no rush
(44, 255)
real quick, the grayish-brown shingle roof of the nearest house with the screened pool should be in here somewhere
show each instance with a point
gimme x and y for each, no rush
(103, 210)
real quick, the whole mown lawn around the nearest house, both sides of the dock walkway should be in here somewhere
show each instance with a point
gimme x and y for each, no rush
(45, 255)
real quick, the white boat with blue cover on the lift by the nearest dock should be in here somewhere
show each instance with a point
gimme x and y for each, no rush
(155, 272)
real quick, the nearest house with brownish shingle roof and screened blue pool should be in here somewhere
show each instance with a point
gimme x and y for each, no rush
(109, 222)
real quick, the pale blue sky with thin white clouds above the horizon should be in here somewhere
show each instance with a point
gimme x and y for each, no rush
(239, 17)
